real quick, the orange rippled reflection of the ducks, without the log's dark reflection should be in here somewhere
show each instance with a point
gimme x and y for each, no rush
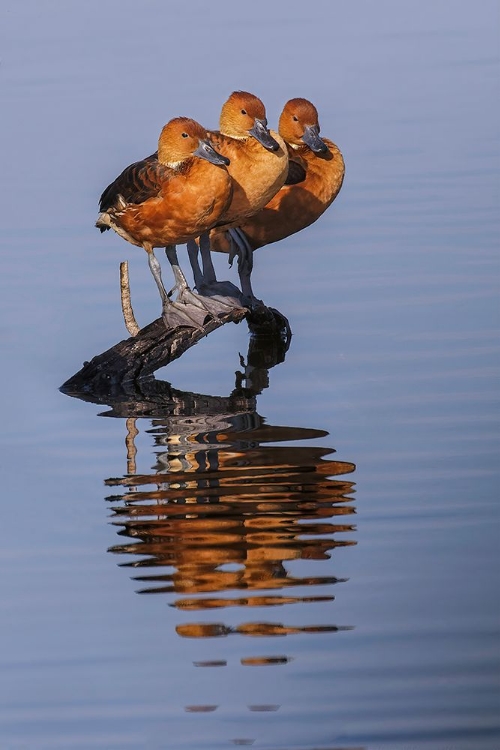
(226, 510)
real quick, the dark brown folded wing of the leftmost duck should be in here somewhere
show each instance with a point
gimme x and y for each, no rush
(137, 183)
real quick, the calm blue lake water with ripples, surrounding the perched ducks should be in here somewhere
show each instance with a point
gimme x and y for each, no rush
(284, 550)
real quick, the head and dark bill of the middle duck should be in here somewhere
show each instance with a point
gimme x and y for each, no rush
(244, 115)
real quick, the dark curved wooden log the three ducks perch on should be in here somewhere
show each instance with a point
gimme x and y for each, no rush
(136, 359)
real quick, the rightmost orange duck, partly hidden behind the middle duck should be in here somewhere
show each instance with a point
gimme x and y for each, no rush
(315, 175)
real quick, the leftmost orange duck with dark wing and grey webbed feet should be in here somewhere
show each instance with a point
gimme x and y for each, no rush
(170, 198)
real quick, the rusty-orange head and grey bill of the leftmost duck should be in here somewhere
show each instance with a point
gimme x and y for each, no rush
(182, 138)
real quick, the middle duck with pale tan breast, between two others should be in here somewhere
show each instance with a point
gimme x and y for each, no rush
(258, 166)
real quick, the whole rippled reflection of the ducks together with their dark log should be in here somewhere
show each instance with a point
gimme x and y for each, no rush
(231, 502)
